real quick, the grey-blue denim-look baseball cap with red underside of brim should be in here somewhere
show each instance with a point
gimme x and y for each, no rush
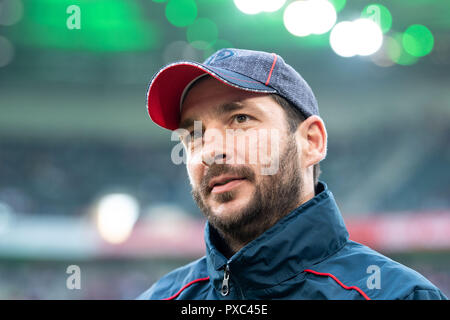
(254, 71)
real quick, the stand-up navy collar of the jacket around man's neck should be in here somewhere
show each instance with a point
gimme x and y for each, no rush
(307, 235)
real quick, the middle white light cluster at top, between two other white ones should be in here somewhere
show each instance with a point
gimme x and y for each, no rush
(302, 18)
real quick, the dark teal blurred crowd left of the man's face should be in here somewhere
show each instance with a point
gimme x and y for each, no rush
(65, 178)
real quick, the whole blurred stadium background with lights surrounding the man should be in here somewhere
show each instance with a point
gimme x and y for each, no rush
(86, 178)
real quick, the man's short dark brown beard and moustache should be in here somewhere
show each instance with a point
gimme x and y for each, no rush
(273, 198)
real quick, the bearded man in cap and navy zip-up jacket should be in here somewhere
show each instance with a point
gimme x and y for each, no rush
(273, 230)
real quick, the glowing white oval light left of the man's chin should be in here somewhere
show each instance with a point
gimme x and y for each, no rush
(116, 216)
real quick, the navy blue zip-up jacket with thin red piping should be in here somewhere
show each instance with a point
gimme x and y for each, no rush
(305, 255)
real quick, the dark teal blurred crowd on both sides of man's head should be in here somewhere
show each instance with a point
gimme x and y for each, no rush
(366, 174)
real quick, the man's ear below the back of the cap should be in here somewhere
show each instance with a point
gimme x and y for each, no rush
(313, 136)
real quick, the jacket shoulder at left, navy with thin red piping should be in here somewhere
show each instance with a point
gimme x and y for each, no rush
(177, 281)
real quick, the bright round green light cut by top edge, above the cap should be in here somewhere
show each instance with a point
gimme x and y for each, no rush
(181, 13)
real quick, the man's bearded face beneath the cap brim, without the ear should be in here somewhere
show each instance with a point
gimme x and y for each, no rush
(227, 175)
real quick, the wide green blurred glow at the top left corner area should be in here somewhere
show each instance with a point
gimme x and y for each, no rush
(106, 25)
